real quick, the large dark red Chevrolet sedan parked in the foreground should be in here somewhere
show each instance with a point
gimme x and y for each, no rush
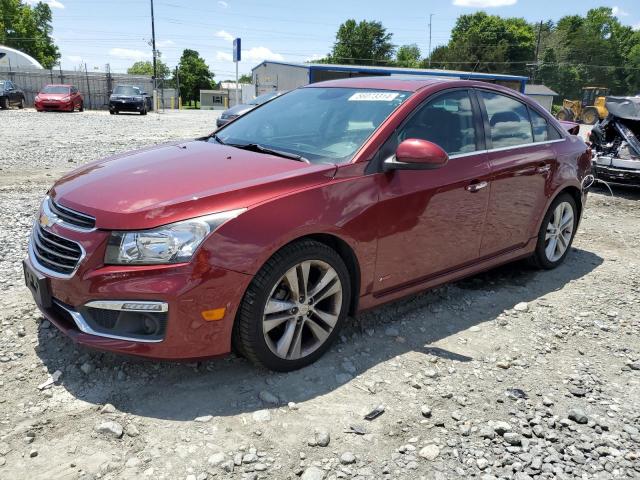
(331, 199)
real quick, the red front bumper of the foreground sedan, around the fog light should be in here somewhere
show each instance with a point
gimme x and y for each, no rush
(186, 289)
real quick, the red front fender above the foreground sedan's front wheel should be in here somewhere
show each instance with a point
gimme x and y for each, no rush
(344, 208)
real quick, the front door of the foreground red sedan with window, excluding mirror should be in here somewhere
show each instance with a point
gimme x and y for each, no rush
(431, 221)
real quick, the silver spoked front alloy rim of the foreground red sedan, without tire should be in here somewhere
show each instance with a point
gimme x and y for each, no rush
(302, 309)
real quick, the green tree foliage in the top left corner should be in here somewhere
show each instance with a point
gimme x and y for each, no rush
(28, 29)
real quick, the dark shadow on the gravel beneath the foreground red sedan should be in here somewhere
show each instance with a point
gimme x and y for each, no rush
(231, 385)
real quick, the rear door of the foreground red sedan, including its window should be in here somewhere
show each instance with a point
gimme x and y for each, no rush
(522, 159)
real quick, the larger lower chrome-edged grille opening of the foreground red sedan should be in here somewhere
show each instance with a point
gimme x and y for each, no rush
(54, 252)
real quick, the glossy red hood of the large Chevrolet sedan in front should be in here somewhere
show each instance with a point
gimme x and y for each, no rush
(172, 182)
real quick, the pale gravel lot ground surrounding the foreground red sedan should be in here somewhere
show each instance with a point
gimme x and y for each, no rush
(512, 374)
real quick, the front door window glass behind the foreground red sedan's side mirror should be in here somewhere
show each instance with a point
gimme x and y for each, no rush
(446, 121)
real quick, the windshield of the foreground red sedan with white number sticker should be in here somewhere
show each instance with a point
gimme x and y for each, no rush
(323, 125)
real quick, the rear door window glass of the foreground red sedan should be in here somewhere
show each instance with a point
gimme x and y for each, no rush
(508, 120)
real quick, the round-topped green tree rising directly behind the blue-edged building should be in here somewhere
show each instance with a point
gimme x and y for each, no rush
(364, 43)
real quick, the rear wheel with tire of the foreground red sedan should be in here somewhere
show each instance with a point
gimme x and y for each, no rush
(545, 256)
